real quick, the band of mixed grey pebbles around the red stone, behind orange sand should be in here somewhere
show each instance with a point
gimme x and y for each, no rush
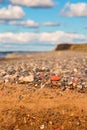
(64, 71)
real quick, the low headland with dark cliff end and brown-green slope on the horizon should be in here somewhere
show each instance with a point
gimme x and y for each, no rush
(73, 47)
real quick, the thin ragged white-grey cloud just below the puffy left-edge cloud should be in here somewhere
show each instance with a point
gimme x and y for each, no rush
(28, 23)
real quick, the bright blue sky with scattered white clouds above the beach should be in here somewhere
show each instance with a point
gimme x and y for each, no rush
(39, 25)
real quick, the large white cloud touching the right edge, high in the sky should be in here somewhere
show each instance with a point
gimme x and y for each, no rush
(77, 10)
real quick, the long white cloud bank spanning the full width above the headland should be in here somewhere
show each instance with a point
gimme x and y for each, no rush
(44, 37)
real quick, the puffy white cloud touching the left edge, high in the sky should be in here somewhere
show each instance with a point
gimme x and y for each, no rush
(11, 13)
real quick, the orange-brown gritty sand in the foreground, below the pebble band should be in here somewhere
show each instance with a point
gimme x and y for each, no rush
(47, 108)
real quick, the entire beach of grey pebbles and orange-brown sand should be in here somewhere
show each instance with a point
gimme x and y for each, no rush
(54, 79)
